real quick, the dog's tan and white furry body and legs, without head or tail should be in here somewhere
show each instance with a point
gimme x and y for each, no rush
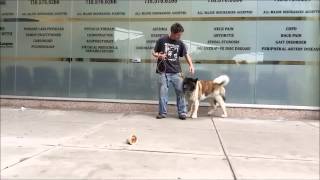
(206, 89)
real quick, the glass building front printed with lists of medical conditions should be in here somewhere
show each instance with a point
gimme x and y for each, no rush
(102, 48)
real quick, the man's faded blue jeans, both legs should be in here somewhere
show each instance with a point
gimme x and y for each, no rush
(165, 79)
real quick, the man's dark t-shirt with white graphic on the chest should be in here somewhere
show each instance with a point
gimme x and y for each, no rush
(173, 49)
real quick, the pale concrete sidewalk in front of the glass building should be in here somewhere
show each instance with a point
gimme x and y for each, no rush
(54, 144)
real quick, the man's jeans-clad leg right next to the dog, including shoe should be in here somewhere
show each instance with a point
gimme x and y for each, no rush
(177, 82)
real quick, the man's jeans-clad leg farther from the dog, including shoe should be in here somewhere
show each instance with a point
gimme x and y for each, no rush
(163, 95)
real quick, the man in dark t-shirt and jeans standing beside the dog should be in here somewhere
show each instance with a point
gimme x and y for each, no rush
(167, 50)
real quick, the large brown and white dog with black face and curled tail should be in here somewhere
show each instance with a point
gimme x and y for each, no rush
(197, 90)
